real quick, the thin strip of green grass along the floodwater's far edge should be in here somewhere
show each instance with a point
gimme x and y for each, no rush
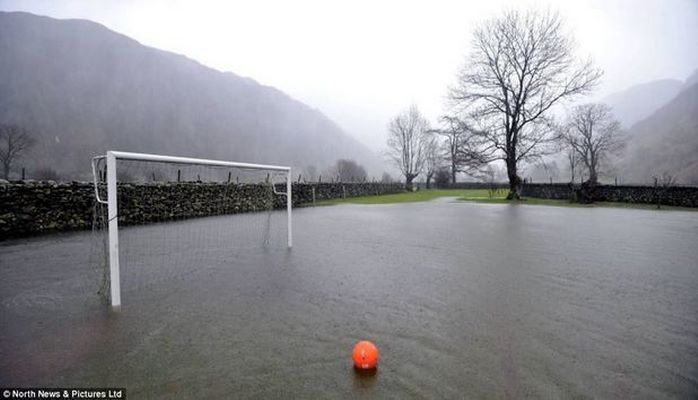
(483, 196)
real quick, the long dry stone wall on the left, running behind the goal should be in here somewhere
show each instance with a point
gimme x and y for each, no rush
(29, 207)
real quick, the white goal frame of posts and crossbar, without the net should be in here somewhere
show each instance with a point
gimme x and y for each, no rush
(112, 212)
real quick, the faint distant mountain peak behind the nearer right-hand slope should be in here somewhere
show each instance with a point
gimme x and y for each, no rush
(640, 101)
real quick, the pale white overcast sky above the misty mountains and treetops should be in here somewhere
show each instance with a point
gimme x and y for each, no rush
(361, 62)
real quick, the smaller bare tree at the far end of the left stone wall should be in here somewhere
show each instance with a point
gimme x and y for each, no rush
(407, 138)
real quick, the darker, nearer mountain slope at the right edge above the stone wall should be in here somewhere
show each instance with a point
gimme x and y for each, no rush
(665, 142)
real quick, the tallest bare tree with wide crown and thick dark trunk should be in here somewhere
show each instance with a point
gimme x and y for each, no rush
(521, 65)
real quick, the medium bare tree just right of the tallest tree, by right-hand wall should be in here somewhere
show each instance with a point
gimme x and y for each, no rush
(594, 134)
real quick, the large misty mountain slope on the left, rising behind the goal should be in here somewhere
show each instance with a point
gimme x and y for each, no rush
(82, 89)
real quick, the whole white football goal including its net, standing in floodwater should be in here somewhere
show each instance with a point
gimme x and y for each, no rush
(162, 217)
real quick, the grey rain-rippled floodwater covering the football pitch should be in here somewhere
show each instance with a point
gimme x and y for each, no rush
(463, 300)
